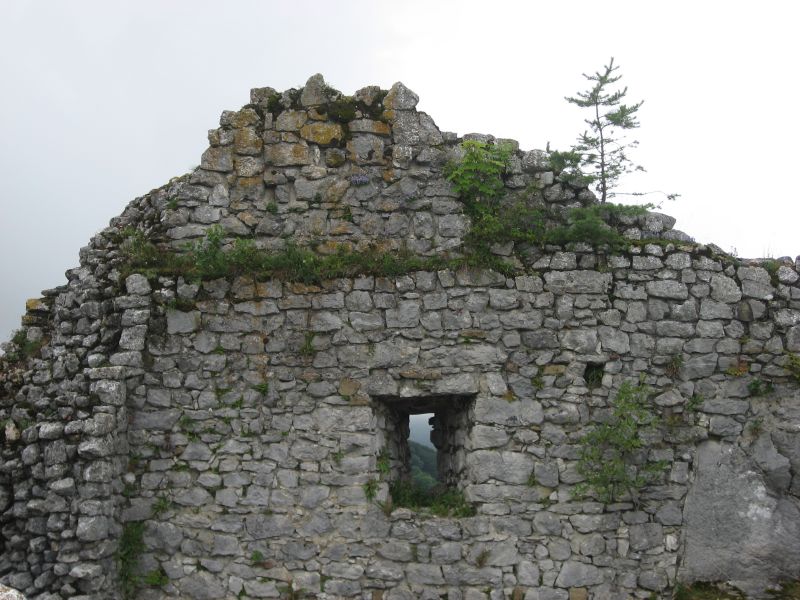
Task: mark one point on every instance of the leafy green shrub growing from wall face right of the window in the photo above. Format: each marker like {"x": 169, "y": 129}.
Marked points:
{"x": 607, "y": 454}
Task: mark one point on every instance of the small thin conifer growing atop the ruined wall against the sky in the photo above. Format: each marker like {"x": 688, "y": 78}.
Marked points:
{"x": 601, "y": 152}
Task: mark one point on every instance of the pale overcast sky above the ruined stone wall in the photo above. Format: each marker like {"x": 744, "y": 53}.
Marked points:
{"x": 101, "y": 101}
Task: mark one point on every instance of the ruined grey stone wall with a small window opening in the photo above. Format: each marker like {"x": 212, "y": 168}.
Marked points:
{"x": 238, "y": 424}
